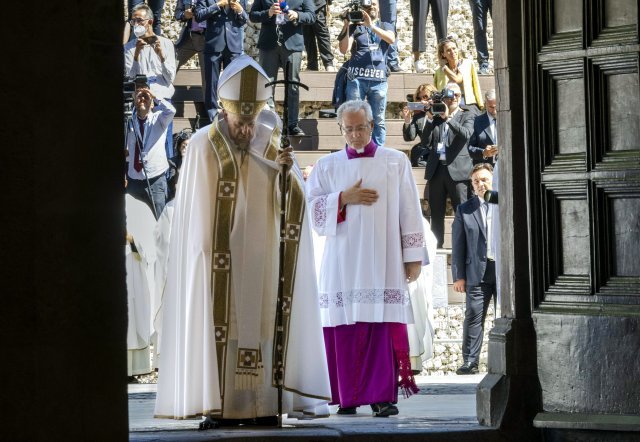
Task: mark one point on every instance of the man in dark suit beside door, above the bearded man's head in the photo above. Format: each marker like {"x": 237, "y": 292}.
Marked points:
{"x": 483, "y": 147}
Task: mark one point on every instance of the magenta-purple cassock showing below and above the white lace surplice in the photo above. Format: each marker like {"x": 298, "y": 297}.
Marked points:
{"x": 368, "y": 361}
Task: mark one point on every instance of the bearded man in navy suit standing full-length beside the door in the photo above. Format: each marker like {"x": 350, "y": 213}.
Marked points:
{"x": 472, "y": 264}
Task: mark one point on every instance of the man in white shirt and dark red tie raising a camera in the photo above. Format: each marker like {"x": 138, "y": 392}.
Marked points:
{"x": 147, "y": 158}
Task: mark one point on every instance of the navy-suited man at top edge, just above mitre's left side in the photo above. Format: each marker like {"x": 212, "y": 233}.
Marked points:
{"x": 224, "y": 39}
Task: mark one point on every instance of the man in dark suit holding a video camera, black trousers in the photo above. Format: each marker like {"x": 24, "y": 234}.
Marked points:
{"x": 447, "y": 136}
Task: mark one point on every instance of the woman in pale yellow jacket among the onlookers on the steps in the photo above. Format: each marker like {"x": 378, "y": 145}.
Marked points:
{"x": 461, "y": 71}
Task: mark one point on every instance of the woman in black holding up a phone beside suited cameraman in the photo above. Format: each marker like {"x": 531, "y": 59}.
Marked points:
{"x": 414, "y": 120}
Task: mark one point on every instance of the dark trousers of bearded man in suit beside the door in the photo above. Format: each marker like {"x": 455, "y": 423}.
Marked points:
{"x": 478, "y": 299}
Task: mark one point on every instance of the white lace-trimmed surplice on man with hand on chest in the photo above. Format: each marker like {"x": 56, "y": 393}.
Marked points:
{"x": 362, "y": 276}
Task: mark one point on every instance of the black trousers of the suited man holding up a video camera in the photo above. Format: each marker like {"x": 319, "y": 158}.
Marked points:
{"x": 440, "y": 186}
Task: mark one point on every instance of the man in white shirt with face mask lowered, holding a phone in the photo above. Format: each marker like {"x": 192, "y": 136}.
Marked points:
{"x": 151, "y": 55}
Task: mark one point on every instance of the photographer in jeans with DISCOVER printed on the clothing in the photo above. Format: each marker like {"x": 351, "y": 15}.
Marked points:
{"x": 367, "y": 75}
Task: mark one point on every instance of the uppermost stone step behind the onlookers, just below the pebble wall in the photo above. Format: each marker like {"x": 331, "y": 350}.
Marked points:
{"x": 188, "y": 86}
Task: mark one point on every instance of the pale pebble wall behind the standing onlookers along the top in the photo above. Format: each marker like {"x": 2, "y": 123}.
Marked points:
{"x": 459, "y": 25}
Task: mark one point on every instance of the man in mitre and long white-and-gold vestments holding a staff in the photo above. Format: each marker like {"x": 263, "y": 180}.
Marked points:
{"x": 220, "y": 300}
